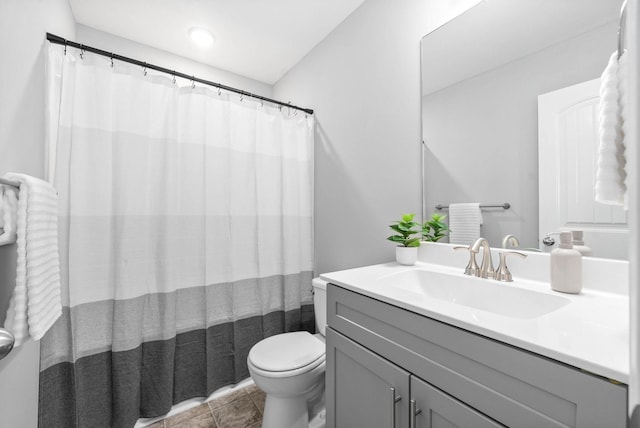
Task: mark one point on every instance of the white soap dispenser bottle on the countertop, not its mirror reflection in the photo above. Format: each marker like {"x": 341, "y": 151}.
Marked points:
{"x": 566, "y": 266}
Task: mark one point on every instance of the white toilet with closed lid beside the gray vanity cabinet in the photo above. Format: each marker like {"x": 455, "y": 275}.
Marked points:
{"x": 290, "y": 368}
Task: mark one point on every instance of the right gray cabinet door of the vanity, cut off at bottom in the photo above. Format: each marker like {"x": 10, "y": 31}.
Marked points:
{"x": 435, "y": 409}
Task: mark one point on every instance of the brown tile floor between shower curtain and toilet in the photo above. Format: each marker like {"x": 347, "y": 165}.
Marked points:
{"x": 239, "y": 409}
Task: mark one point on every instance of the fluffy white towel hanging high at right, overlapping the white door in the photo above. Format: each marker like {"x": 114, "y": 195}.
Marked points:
{"x": 610, "y": 186}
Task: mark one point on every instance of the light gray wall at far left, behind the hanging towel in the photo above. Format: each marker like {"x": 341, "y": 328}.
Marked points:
{"x": 22, "y": 81}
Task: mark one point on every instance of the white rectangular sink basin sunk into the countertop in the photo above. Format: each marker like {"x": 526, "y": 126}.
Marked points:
{"x": 484, "y": 294}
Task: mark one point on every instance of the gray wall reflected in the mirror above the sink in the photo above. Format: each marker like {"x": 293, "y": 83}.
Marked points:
{"x": 482, "y": 133}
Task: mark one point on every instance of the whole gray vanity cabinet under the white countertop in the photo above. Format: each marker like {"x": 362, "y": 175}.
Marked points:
{"x": 455, "y": 378}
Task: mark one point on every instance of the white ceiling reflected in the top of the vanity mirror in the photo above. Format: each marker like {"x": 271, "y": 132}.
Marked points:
{"x": 494, "y": 32}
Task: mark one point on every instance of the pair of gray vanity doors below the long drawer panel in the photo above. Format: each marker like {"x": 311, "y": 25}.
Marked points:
{"x": 372, "y": 392}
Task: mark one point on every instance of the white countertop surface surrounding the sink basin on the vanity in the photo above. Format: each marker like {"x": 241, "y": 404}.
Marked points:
{"x": 591, "y": 332}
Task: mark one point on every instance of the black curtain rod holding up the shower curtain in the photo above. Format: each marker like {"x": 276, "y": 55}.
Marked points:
{"x": 61, "y": 41}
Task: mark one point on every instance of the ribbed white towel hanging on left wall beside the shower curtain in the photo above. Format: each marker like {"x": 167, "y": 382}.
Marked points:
{"x": 36, "y": 303}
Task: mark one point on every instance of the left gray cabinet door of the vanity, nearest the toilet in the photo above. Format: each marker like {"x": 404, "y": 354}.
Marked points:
{"x": 363, "y": 389}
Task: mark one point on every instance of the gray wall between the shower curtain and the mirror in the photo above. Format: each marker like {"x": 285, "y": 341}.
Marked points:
{"x": 363, "y": 81}
